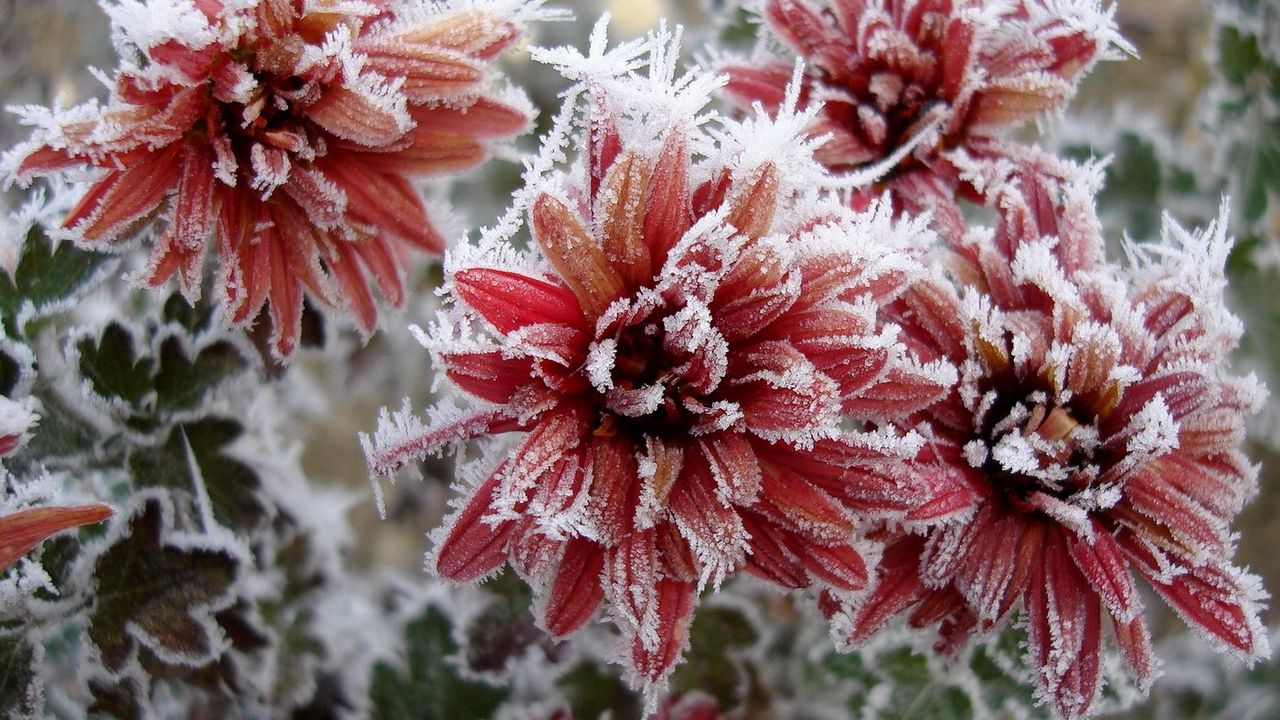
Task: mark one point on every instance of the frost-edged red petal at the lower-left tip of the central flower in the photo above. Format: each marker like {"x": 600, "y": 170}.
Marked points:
{"x": 474, "y": 548}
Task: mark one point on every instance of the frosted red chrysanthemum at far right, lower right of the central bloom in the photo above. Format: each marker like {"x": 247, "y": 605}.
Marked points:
{"x": 1100, "y": 431}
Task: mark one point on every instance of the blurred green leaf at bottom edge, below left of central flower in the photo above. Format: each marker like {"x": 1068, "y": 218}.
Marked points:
{"x": 431, "y": 687}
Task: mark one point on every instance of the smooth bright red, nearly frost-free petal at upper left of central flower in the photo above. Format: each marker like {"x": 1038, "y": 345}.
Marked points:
{"x": 511, "y": 302}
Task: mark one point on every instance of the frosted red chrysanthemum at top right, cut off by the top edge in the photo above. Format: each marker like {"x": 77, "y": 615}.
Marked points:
{"x": 918, "y": 80}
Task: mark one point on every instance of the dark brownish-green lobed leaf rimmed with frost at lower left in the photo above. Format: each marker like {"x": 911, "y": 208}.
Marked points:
{"x": 158, "y": 593}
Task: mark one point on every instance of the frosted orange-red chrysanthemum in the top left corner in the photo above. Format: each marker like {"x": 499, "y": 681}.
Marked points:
{"x": 289, "y": 131}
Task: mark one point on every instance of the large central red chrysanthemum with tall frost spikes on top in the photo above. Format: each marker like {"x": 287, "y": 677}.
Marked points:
{"x": 679, "y": 357}
